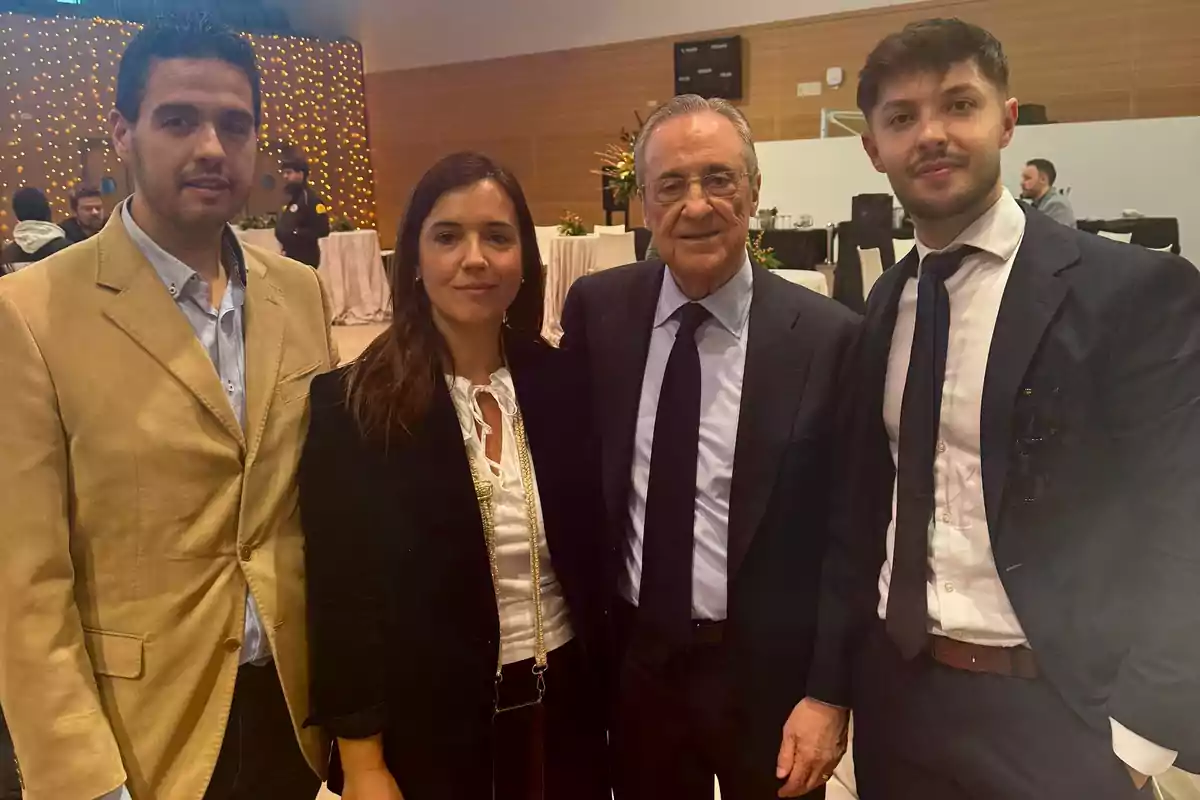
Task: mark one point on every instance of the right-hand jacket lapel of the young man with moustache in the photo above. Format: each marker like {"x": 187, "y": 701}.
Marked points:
{"x": 1031, "y": 302}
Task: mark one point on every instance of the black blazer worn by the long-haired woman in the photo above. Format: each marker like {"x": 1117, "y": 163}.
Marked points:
{"x": 404, "y": 628}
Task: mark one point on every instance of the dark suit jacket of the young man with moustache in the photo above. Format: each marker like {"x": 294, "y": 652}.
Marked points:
{"x": 1090, "y": 438}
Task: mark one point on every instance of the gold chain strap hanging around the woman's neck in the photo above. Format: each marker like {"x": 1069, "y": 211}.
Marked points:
{"x": 484, "y": 492}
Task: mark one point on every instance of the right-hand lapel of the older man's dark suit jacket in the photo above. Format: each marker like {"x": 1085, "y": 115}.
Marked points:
{"x": 773, "y": 383}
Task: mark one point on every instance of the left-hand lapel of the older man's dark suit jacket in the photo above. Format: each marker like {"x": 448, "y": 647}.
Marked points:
{"x": 629, "y": 329}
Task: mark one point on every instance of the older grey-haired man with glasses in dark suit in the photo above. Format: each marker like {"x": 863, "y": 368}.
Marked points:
{"x": 715, "y": 386}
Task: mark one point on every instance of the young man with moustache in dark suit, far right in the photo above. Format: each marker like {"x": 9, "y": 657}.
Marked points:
{"x": 1015, "y": 582}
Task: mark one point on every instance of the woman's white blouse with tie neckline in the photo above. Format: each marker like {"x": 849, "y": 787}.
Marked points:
{"x": 517, "y": 607}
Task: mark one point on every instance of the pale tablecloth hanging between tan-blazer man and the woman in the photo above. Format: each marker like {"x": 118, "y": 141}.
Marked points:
{"x": 353, "y": 273}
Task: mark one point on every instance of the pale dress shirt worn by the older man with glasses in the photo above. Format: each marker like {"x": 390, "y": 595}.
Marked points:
{"x": 722, "y": 342}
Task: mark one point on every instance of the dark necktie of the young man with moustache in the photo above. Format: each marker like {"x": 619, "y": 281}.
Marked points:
{"x": 908, "y": 611}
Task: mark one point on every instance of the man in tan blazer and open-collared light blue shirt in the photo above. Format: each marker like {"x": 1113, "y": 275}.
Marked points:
{"x": 155, "y": 388}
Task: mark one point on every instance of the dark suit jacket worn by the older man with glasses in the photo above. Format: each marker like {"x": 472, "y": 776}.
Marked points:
{"x": 799, "y": 344}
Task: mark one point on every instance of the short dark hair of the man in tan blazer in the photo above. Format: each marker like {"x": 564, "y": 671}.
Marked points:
{"x": 191, "y": 37}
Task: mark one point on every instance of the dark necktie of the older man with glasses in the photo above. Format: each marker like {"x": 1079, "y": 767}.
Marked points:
{"x": 665, "y": 598}
